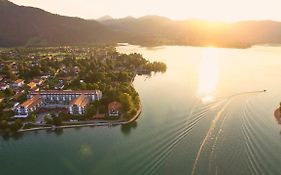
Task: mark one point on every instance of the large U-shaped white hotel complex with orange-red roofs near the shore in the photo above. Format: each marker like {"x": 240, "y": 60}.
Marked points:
{"x": 75, "y": 101}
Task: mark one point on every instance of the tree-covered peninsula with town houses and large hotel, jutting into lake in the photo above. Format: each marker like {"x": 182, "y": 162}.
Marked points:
{"x": 71, "y": 86}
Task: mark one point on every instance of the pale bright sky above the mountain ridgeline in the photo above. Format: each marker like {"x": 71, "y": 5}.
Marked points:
{"x": 222, "y": 10}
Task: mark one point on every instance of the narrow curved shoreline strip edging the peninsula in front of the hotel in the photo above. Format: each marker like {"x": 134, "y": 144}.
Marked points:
{"x": 87, "y": 124}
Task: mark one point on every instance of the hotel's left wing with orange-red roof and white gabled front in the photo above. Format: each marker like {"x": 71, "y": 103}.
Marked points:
{"x": 30, "y": 105}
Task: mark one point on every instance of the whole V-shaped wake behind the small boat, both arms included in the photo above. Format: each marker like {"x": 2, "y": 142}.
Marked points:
{"x": 169, "y": 137}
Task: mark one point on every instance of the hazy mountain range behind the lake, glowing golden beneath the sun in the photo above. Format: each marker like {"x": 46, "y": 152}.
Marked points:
{"x": 28, "y": 26}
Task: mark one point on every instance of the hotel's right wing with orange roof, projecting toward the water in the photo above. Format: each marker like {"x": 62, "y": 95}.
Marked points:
{"x": 78, "y": 105}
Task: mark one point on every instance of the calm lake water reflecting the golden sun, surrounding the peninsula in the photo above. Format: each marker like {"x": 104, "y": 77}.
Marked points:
{"x": 208, "y": 114}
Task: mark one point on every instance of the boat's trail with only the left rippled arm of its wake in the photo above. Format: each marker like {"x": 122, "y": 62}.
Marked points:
{"x": 177, "y": 133}
